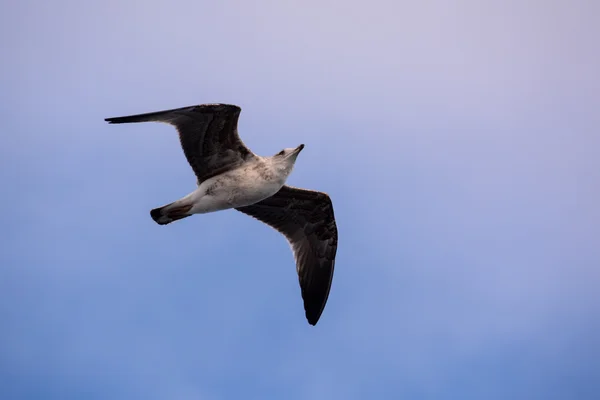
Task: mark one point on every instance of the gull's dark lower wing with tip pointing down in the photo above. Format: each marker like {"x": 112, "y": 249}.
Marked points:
{"x": 306, "y": 219}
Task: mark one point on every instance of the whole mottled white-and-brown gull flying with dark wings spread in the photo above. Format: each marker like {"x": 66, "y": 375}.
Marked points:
{"x": 229, "y": 175}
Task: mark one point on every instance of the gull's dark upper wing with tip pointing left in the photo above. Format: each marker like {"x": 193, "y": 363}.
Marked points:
{"x": 208, "y": 135}
